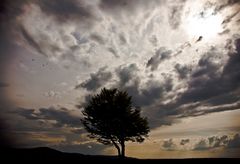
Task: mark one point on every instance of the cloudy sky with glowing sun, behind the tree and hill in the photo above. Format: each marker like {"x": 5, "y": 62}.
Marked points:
{"x": 178, "y": 59}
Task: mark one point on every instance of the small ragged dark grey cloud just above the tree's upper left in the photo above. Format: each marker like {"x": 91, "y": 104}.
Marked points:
{"x": 96, "y": 80}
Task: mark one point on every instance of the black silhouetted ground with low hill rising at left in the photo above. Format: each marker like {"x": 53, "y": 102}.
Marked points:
{"x": 44, "y": 154}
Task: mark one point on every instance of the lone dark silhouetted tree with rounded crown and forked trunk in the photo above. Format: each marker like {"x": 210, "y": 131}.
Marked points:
{"x": 111, "y": 118}
